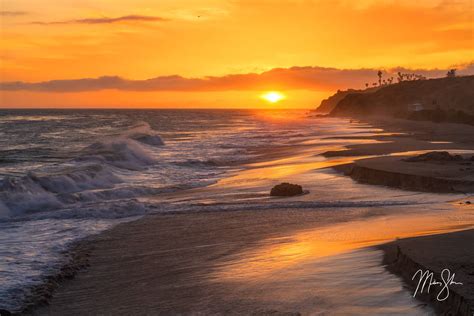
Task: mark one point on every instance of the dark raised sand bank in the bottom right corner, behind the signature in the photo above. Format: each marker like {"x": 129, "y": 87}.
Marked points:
{"x": 453, "y": 251}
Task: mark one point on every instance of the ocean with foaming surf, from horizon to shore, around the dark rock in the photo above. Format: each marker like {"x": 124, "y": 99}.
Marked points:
{"x": 69, "y": 174}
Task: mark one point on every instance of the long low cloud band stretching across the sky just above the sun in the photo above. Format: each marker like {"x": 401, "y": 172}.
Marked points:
{"x": 294, "y": 78}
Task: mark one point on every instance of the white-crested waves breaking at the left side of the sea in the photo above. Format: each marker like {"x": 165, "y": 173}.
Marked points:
{"x": 92, "y": 176}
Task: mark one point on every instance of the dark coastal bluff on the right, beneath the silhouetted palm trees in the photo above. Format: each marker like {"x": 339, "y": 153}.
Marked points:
{"x": 443, "y": 99}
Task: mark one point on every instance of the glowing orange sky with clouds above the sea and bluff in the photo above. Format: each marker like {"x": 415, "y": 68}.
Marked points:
{"x": 142, "y": 39}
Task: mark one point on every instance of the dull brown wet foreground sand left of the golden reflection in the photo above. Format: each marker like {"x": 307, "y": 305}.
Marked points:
{"x": 161, "y": 264}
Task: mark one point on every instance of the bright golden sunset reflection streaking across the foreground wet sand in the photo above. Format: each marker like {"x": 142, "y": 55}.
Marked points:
{"x": 278, "y": 254}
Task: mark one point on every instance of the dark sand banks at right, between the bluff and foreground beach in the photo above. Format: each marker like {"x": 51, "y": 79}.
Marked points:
{"x": 414, "y": 138}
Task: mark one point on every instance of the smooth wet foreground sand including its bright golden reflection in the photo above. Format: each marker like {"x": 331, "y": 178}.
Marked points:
{"x": 227, "y": 262}
